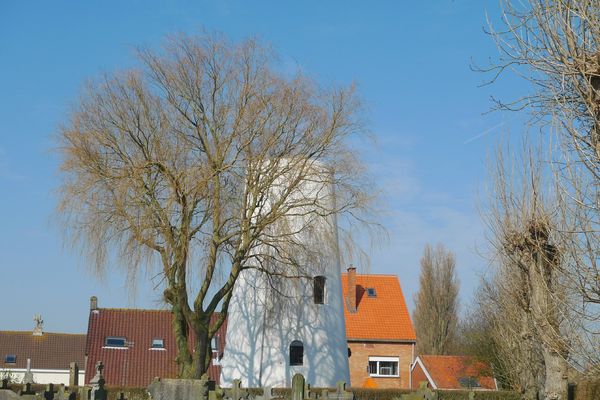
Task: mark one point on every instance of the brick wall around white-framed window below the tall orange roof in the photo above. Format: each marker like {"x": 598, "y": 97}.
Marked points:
{"x": 359, "y": 362}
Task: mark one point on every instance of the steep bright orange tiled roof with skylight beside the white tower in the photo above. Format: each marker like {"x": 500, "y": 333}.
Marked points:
{"x": 384, "y": 317}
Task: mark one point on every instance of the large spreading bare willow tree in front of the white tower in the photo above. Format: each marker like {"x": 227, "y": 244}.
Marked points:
{"x": 207, "y": 161}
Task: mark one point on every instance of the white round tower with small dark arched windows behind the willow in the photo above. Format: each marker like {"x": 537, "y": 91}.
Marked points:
{"x": 278, "y": 327}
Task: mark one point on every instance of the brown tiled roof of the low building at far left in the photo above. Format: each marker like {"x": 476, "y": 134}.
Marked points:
{"x": 47, "y": 351}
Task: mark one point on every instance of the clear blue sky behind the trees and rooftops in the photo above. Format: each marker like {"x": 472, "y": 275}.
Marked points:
{"x": 410, "y": 61}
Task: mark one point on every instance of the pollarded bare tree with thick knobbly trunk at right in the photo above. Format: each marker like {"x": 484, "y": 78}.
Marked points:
{"x": 526, "y": 296}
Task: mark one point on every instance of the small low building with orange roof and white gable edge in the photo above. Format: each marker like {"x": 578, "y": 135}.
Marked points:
{"x": 452, "y": 373}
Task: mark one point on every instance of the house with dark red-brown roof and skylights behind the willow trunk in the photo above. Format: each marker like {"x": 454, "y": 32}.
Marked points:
{"x": 136, "y": 345}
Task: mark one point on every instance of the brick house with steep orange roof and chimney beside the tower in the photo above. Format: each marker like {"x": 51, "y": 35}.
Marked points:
{"x": 380, "y": 334}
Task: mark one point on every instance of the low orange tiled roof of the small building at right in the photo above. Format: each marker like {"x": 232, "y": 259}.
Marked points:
{"x": 446, "y": 371}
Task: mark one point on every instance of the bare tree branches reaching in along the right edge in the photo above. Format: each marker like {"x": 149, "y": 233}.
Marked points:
{"x": 554, "y": 45}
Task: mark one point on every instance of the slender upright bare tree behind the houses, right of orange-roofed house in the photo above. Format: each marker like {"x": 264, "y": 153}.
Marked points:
{"x": 436, "y": 304}
